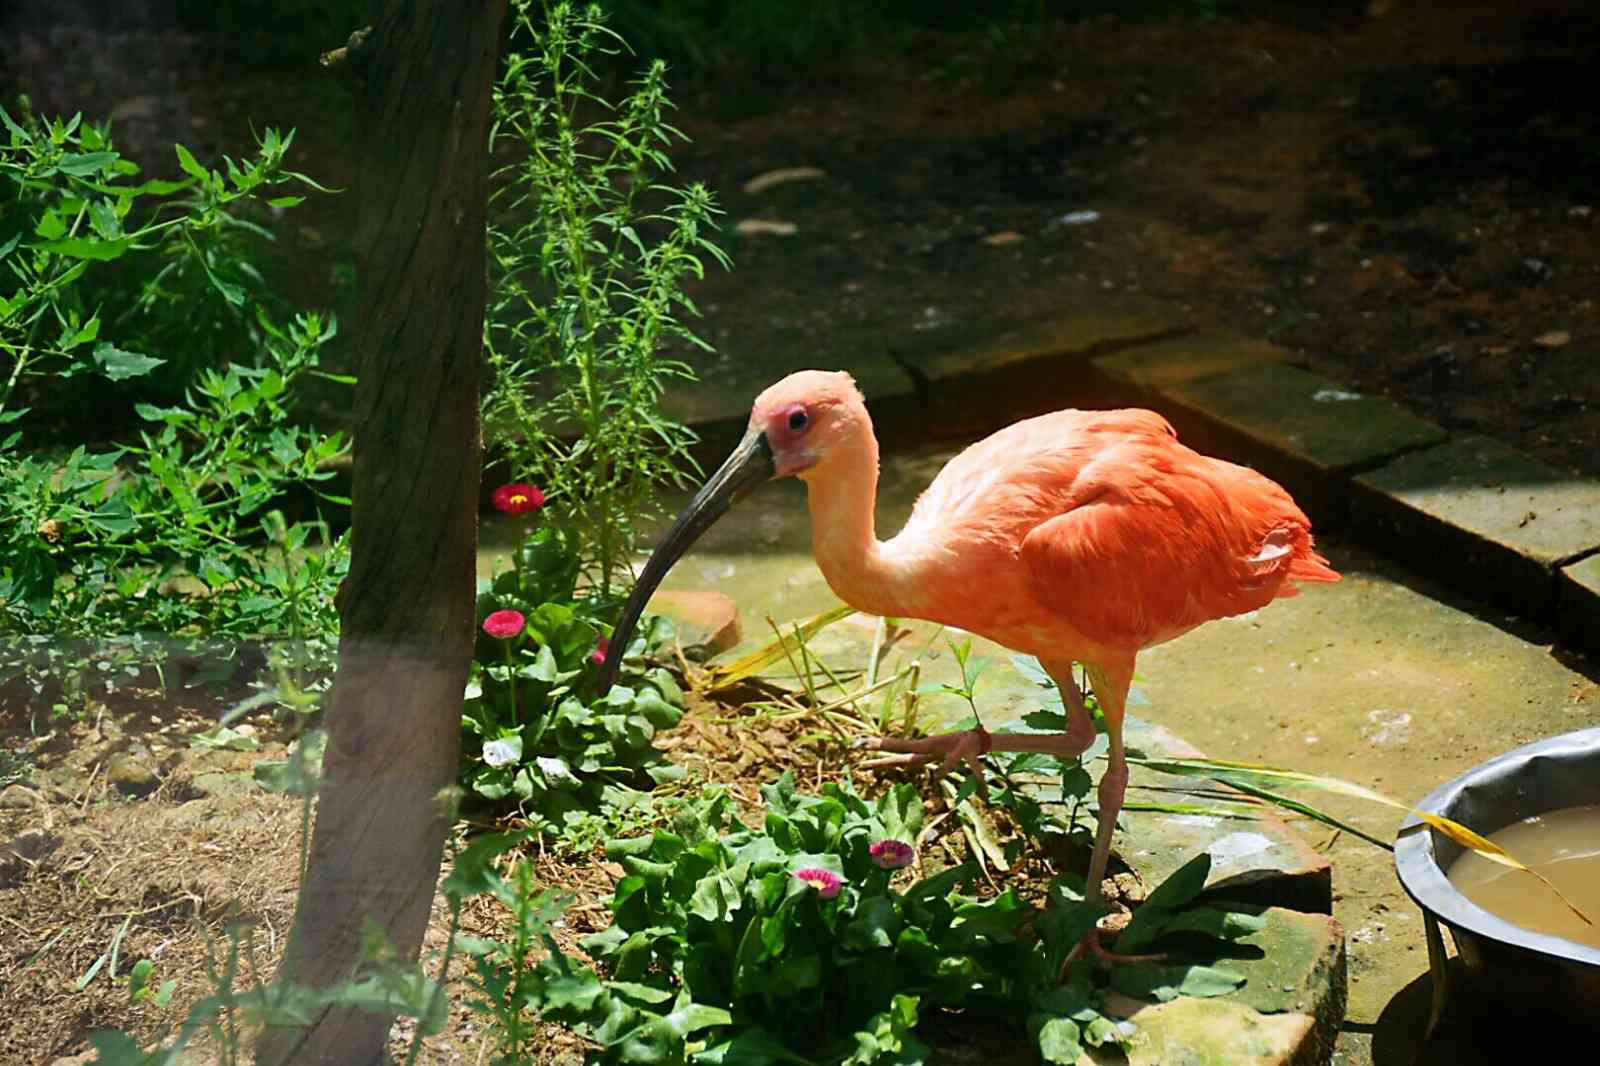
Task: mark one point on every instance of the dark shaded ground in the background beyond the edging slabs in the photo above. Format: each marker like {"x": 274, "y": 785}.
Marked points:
{"x": 1404, "y": 201}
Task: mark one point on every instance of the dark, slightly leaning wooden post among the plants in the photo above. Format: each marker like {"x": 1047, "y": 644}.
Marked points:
{"x": 423, "y": 82}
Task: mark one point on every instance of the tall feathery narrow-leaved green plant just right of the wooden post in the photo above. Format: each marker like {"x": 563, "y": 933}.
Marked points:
{"x": 588, "y": 260}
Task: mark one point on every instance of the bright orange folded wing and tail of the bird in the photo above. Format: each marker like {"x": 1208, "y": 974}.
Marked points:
{"x": 1161, "y": 540}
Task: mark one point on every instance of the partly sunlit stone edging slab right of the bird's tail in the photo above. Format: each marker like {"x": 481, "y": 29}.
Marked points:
{"x": 1474, "y": 507}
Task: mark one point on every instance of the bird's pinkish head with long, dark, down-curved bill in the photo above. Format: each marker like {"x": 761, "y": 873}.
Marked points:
{"x": 794, "y": 428}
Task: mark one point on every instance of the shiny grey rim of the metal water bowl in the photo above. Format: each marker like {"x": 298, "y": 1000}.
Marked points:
{"x": 1430, "y": 889}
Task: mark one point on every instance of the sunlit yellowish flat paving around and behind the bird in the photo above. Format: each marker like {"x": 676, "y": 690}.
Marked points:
{"x": 1383, "y": 679}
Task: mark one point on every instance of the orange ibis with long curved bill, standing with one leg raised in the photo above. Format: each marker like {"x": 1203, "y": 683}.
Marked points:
{"x": 1079, "y": 537}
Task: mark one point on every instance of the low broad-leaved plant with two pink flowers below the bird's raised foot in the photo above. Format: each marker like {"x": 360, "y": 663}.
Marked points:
{"x": 802, "y": 944}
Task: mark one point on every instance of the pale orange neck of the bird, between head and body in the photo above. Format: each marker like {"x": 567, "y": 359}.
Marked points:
{"x": 844, "y": 539}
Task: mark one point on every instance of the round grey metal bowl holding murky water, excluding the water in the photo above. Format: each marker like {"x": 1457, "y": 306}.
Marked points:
{"x": 1503, "y": 963}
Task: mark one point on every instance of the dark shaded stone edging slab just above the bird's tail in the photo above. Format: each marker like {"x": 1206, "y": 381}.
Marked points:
{"x": 1297, "y": 428}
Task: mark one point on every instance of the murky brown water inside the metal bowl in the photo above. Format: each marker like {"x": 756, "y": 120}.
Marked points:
{"x": 1561, "y": 844}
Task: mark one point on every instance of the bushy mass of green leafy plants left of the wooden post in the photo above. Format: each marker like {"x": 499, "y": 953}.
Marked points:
{"x": 150, "y": 289}
